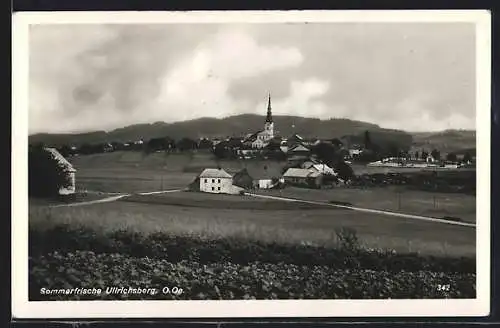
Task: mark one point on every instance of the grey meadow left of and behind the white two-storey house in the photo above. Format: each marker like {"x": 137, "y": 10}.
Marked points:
{"x": 132, "y": 172}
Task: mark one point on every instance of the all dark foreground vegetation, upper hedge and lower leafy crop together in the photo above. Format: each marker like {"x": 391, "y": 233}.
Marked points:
{"x": 65, "y": 257}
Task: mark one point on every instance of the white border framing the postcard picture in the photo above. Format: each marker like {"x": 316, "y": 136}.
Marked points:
{"x": 22, "y": 308}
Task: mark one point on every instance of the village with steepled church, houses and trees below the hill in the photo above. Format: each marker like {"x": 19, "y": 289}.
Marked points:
{"x": 309, "y": 163}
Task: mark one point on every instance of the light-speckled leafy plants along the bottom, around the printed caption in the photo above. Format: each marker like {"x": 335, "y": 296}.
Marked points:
{"x": 227, "y": 280}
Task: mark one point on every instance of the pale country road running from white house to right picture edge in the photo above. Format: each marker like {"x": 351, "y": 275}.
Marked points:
{"x": 368, "y": 210}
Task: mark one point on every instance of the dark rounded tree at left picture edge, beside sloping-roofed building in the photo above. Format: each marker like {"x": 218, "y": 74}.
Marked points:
{"x": 45, "y": 175}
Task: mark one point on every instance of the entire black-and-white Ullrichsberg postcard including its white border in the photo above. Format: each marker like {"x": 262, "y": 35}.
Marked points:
{"x": 267, "y": 164}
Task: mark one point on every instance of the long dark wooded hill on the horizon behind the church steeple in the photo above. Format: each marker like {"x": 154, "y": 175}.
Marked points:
{"x": 210, "y": 127}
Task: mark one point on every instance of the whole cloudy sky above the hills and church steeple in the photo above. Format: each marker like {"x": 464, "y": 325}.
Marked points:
{"x": 408, "y": 76}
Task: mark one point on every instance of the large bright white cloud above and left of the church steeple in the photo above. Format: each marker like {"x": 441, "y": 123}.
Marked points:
{"x": 198, "y": 85}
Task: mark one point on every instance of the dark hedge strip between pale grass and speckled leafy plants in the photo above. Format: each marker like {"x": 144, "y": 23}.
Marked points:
{"x": 66, "y": 238}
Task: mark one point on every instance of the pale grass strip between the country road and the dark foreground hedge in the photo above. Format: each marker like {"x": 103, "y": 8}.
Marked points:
{"x": 315, "y": 225}
